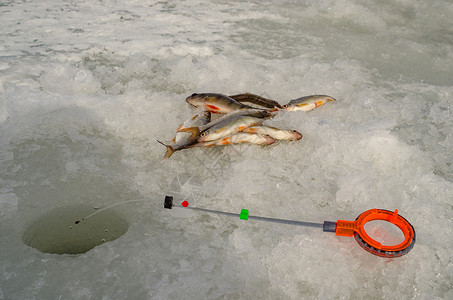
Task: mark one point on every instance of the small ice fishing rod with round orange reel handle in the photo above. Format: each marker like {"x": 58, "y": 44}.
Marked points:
{"x": 341, "y": 227}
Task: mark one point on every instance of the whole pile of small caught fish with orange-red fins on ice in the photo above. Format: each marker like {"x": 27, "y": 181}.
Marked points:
{"x": 237, "y": 122}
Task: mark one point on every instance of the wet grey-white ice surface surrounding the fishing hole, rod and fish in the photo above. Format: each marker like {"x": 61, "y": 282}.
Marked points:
{"x": 87, "y": 87}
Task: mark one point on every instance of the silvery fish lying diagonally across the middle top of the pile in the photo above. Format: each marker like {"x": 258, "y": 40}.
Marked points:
{"x": 228, "y": 127}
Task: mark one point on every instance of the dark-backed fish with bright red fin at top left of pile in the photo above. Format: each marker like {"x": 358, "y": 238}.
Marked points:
{"x": 216, "y": 103}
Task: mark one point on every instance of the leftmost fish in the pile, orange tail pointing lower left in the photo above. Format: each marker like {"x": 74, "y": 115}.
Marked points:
{"x": 183, "y": 138}
